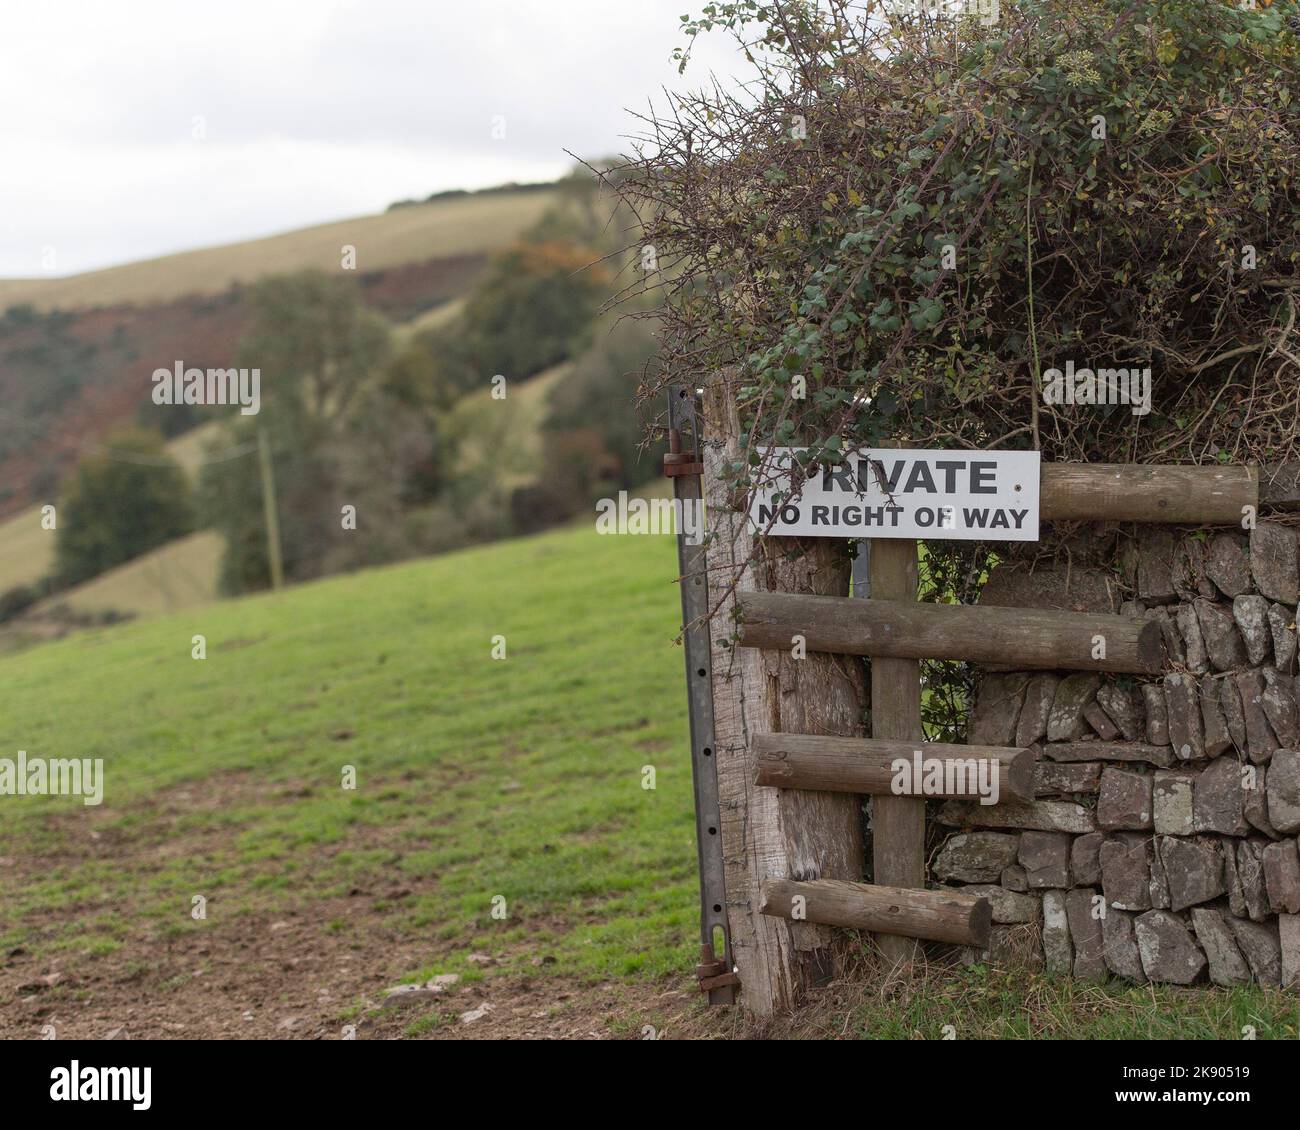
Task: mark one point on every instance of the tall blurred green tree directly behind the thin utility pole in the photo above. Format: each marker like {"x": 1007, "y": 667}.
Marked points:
{"x": 336, "y": 438}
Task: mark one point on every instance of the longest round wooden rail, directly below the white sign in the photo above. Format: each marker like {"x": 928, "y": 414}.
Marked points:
{"x": 1016, "y": 638}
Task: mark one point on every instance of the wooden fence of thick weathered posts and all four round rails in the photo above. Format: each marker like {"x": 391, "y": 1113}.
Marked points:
{"x": 791, "y": 755}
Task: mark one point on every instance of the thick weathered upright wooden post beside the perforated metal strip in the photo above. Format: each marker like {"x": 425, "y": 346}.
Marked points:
{"x": 774, "y": 833}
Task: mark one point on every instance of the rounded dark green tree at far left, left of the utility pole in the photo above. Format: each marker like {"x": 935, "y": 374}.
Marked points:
{"x": 131, "y": 499}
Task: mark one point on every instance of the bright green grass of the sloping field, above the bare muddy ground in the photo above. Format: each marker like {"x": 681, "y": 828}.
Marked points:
{"x": 476, "y": 778}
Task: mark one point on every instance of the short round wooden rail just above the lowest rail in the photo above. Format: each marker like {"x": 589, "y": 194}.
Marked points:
{"x": 865, "y": 765}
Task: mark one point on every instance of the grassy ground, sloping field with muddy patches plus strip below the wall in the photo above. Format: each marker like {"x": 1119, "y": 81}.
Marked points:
{"x": 482, "y": 783}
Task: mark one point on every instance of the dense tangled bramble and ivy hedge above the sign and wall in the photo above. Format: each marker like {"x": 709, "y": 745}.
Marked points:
{"x": 809, "y": 220}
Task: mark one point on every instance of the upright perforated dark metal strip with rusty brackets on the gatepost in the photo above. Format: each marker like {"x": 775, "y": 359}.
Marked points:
{"x": 684, "y": 465}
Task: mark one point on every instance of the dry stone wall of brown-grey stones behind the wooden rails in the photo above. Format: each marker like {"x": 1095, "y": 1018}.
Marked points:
{"x": 1162, "y": 843}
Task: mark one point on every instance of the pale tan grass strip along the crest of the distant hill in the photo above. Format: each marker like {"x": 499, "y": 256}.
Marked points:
{"x": 444, "y": 228}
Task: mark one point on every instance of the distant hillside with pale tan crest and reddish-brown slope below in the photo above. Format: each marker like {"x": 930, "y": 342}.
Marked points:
{"x": 72, "y": 376}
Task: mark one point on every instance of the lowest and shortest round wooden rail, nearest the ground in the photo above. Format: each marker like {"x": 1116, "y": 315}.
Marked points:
{"x": 935, "y": 916}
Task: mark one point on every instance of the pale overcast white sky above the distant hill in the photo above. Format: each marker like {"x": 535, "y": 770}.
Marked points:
{"x": 136, "y": 129}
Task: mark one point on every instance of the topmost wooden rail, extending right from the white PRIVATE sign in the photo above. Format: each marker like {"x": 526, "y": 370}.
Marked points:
{"x": 1128, "y": 492}
